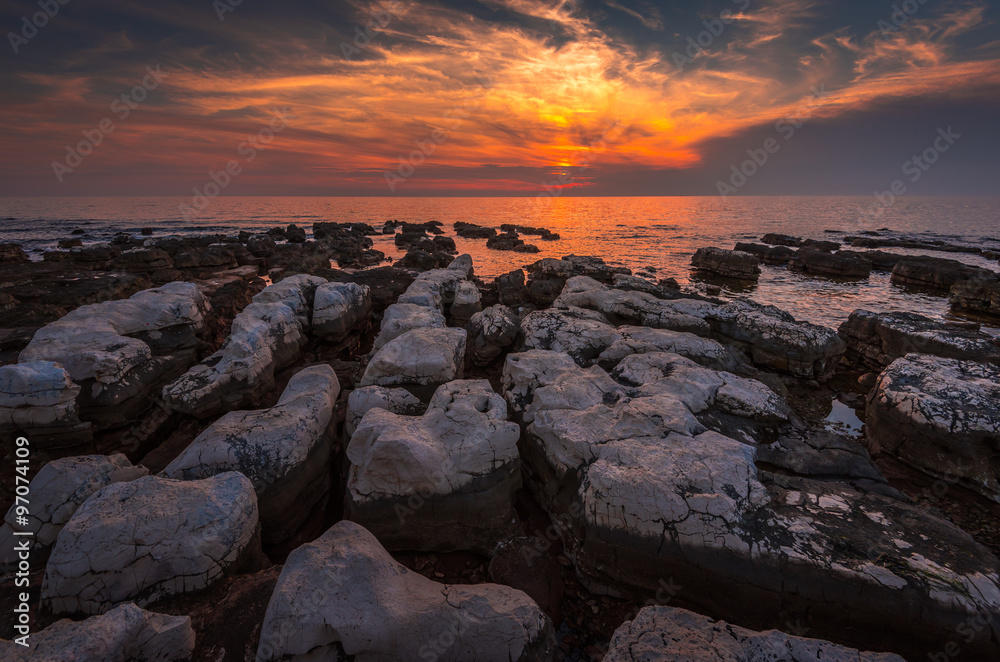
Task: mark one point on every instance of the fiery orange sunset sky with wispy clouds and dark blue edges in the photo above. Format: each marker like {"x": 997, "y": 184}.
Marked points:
{"x": 499, "y": 97}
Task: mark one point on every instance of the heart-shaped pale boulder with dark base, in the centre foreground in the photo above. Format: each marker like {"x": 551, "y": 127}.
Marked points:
{"x": 442, "y": 481}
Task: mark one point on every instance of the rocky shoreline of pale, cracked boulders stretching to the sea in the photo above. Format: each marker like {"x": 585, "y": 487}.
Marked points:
{"x": 243, "y": 452}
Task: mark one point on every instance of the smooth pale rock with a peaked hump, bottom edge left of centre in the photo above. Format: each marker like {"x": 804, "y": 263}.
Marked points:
{"x": 342, "y": 595}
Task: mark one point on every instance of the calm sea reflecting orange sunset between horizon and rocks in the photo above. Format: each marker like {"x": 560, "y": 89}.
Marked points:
{"x": 659, "y": 232}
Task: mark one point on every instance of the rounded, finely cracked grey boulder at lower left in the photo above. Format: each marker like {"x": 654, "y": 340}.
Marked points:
{"x": 148, "y": 539}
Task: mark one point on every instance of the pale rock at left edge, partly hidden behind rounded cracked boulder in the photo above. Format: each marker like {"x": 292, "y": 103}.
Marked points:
{"x": 57, "y": 490}
